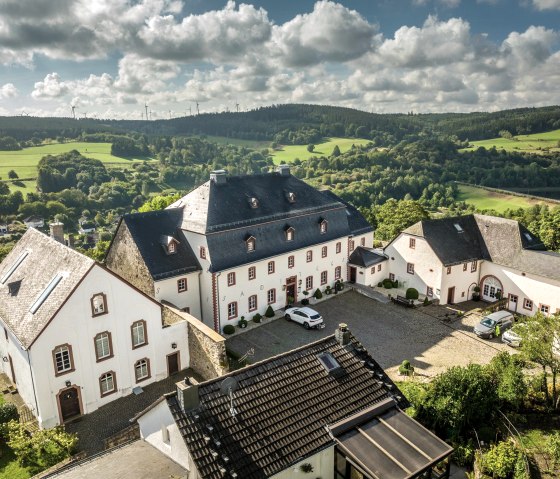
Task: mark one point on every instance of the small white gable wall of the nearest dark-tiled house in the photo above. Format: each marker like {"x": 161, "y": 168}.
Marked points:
{"x": 151, "y": 424}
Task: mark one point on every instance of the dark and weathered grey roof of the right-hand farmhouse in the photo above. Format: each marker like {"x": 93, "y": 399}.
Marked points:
{"x": 500, "y": 240}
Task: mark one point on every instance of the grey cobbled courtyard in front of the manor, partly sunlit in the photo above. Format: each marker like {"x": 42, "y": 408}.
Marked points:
{"x": 391, "y": 333}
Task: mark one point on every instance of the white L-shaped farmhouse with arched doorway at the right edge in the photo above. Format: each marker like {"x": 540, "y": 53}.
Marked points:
{"x": 447, "y": 258}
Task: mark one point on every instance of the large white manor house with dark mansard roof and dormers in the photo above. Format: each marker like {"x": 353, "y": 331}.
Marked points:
{"x": 238, "y": 244}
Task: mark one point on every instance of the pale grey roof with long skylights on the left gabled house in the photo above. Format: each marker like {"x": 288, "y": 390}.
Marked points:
{"x": 45, "y": 259}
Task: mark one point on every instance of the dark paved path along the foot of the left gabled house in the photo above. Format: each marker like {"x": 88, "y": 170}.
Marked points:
{"x": 94, "y": 428}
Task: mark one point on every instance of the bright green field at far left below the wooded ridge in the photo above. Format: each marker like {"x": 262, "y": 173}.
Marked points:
{"x": 24, "y": 162}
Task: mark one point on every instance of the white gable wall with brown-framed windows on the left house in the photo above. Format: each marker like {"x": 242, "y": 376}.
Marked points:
{"x": 75, "y": 325}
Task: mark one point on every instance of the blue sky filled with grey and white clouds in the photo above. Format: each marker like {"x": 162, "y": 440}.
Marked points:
{"x": 111, "y": 58}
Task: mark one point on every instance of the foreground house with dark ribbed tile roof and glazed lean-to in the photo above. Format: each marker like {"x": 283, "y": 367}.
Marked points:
{"x": 326, "y": 408}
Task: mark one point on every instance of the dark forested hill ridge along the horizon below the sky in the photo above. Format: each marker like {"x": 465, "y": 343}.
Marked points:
{"x": 301, "y": 124}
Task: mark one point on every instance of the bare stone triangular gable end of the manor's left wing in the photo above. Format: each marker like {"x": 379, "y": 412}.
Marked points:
{"x": 124, "y": 259}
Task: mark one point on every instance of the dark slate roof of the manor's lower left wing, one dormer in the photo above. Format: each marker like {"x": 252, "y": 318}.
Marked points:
{"x": 151, "y": 231}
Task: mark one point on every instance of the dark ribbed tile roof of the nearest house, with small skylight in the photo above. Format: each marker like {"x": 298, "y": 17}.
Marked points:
{"x": 283, "y": 406}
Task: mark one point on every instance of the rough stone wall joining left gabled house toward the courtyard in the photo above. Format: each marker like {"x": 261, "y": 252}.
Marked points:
{"x": 207, "y": 349}
